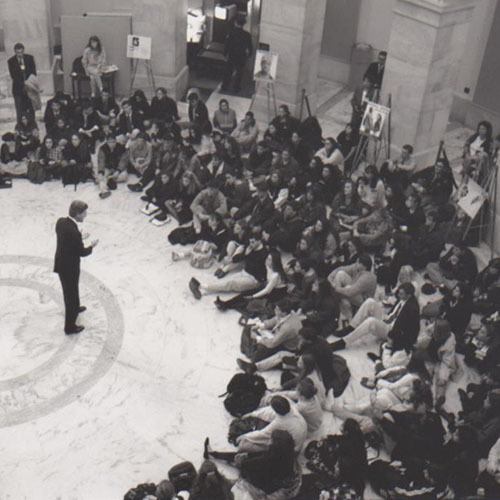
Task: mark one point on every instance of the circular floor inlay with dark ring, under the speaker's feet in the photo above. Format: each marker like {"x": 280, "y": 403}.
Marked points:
{"x": 41, "y": 369}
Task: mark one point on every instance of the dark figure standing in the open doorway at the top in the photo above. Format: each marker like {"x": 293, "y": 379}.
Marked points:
{"x": 238, "y": 48}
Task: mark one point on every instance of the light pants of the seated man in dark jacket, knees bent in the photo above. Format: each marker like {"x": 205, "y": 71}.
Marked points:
{"x": 368, "y": 323}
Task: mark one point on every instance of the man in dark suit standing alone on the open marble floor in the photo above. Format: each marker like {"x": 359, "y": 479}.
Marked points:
{"x": 70, "y": 248}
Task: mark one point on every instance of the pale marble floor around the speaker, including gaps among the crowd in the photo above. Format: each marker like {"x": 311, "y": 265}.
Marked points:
{"x": 88, "y": 417}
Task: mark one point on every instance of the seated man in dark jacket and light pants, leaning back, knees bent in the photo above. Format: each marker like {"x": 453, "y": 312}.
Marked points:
{"x": 402, "y": 322}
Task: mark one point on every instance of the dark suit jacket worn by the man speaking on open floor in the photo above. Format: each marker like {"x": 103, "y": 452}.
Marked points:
{"x": 70, "y": 247}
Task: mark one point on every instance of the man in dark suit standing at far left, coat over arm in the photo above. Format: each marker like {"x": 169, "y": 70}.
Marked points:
{"x": 21, "y": 67}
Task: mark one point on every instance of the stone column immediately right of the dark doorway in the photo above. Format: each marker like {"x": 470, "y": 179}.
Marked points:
{"x": 294, "y": 30}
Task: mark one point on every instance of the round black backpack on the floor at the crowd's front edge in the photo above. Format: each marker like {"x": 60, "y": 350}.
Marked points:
{"x": 244, "y": 393}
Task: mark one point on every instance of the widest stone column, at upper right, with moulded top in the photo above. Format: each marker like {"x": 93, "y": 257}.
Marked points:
{"x": 426, "y": 43}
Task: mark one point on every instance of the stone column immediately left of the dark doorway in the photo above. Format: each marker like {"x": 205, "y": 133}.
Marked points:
{"x": 166, "y": 22}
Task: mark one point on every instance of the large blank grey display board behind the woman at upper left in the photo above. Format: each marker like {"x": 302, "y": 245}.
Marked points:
{"x": 112, "y": 29}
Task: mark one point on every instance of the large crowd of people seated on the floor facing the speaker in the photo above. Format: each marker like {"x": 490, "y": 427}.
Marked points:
{"x": 318, "y": 255}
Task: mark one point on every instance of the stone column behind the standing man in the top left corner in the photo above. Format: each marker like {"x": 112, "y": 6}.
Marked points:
{"x": 28, "y": 21}
